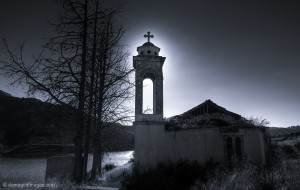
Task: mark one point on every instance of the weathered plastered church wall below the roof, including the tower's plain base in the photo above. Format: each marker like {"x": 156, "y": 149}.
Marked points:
{"x": 154, "y": 144}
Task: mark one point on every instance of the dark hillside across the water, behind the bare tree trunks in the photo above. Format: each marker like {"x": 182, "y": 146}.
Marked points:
{"x": 29, "y": 121}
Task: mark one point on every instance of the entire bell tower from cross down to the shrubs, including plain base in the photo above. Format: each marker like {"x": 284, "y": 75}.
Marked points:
{"x": 149, "y": 128}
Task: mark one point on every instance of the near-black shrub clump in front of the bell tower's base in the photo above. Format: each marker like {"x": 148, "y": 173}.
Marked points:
{"x": 179, "y": 176}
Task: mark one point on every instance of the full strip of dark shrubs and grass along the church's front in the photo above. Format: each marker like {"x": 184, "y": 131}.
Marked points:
{"x": 284, "y": 174}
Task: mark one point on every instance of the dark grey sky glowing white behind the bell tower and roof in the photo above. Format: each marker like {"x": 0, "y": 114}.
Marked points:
{"x": 243, "y": 55}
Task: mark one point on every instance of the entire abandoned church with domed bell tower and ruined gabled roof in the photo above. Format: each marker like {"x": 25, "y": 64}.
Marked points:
{"x": 207, "y": 132}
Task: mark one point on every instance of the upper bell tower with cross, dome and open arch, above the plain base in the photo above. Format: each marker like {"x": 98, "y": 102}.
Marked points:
{"x": 148, "y": 65}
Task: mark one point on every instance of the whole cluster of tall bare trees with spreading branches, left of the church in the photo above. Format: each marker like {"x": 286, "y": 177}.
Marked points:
{"x": 83, "y": 67}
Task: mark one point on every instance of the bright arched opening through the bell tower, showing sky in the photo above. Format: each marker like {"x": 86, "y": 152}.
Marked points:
{"x": 147, "y": 96}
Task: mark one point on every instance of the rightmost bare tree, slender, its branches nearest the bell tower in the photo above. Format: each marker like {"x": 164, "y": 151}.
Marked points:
{"x": 113, "y": 85}
